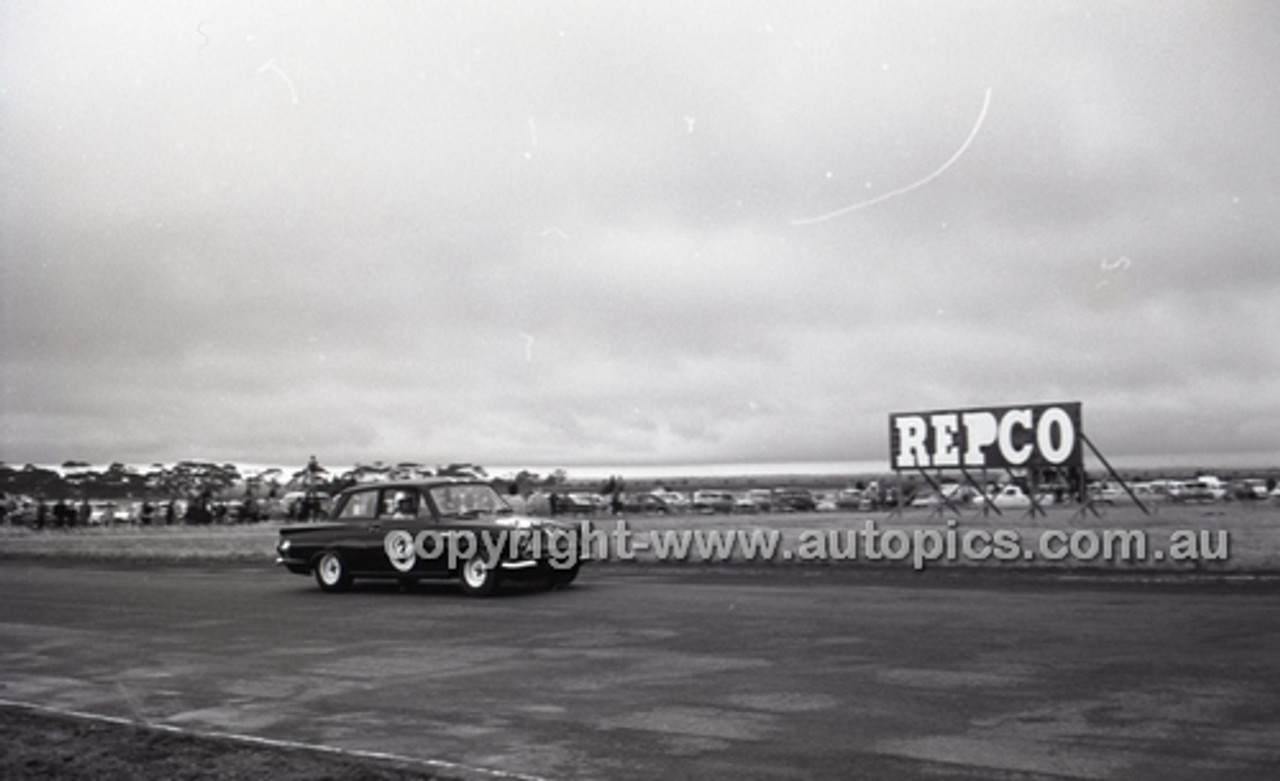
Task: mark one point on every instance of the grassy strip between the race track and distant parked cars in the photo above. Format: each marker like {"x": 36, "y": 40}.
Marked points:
{"x": 1252, "y": 535}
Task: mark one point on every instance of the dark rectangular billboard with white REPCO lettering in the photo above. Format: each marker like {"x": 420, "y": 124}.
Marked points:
{"x": 1031, "y": 436}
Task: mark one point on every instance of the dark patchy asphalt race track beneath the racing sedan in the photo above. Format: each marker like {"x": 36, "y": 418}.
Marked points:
{"x": 683, "y": 673}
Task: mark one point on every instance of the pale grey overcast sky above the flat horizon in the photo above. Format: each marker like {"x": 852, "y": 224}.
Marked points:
{"x": 568, "y": 234}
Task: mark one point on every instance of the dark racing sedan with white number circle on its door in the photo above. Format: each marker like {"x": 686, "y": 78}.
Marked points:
{"x": 381, "y": 532}
